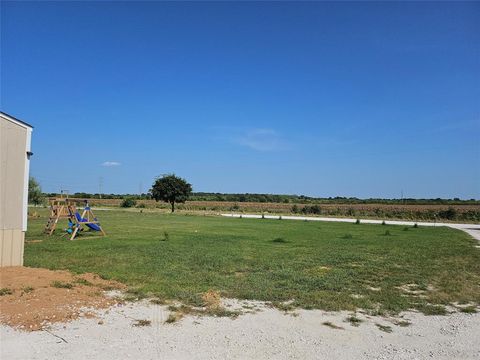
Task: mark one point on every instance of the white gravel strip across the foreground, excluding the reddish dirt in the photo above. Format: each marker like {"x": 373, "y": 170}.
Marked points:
{"x": 266, "y": 334}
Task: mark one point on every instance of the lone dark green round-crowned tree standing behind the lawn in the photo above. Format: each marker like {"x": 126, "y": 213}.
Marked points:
{"x": 171, "y": 189}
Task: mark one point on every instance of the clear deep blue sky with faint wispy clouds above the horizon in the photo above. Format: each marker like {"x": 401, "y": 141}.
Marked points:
{"x": 321, "y": 99}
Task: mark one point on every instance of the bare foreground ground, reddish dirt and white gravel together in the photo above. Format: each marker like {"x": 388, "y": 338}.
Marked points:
{"x": 77, "y": 318}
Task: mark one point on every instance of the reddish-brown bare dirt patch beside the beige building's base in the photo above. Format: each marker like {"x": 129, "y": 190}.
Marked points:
{"x": 40, "y": 297}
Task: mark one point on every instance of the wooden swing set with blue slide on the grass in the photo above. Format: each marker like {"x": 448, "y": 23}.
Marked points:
{"x": 64, "y": 208}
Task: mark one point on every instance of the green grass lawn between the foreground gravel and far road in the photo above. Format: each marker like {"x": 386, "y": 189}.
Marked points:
{"x": 331, "y": 266}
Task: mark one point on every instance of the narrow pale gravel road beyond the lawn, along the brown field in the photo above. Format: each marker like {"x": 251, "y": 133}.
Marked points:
{"x": 472, "y": 229}
